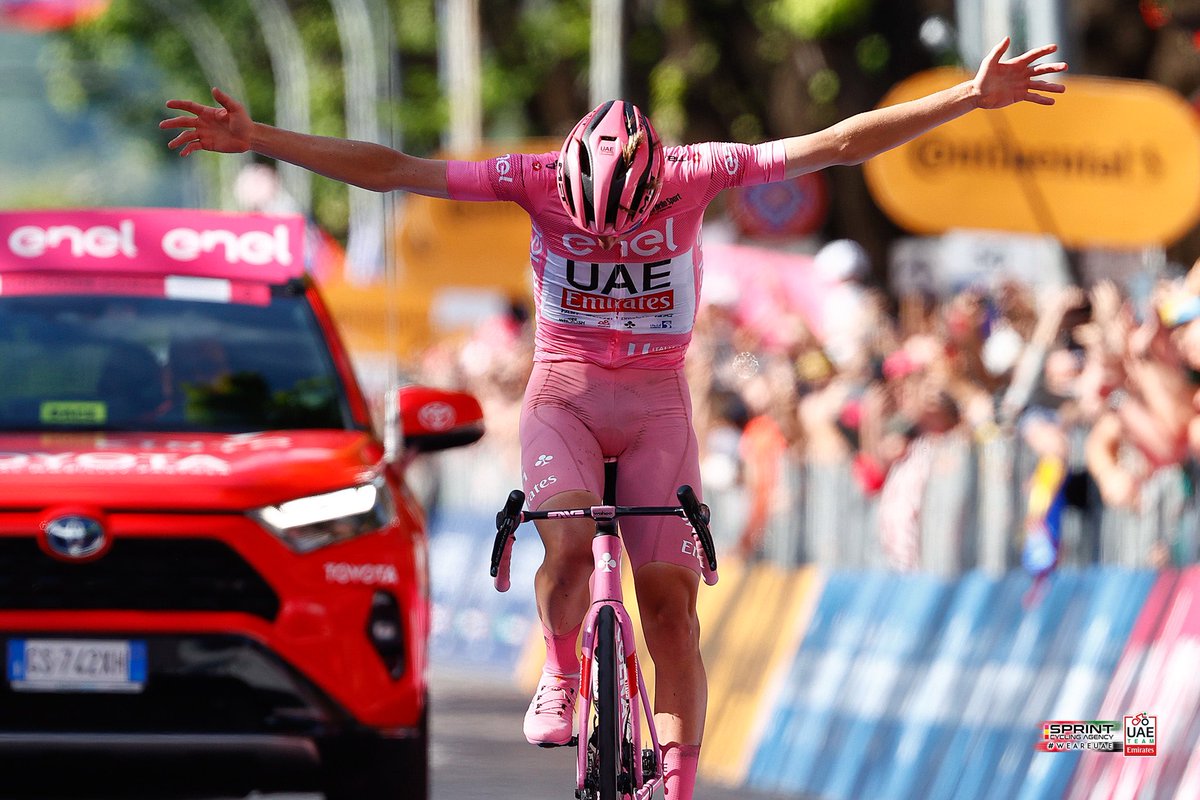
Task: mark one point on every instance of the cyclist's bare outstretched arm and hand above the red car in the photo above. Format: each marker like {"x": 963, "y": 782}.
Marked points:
{"x": 229, "y": 128}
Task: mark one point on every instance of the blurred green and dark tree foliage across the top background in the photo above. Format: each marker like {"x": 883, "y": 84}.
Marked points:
{"x": 745, "y": 70}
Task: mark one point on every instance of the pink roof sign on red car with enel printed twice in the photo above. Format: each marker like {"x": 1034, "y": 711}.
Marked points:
{"x": 160, "y": 242}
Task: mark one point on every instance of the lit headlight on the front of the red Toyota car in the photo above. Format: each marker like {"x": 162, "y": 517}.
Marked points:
{"x": 309, "y": 524}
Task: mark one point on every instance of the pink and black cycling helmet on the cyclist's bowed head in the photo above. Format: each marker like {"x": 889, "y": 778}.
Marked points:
{"x": 610, "y": 170}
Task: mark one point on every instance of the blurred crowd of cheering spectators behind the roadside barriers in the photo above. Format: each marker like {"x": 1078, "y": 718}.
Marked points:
{"x": 1097, "y": 383}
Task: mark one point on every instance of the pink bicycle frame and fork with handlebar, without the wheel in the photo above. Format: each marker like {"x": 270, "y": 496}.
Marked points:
{"x": 605, "y": 587}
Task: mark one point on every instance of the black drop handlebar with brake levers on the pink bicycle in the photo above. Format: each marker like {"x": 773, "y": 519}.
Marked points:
{"x": 512, "y": 515}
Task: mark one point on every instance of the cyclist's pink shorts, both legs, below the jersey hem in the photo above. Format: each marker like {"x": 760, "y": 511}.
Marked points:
{"x": 578, "y": 414}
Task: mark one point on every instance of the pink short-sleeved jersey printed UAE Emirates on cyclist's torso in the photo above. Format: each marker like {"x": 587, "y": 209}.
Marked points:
{"x": 633, "y": 304}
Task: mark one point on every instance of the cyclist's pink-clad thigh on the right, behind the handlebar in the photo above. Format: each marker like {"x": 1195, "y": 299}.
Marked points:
{"x": 661, "y": 456}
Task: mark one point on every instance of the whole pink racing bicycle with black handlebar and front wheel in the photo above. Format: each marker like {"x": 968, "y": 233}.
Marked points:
{"x": 613, "y": 766}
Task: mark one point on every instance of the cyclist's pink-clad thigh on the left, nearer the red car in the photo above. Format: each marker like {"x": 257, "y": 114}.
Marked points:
{"x": 559, "y": 450}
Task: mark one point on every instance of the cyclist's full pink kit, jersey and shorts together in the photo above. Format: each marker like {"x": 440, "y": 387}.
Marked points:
{"x": 614, "y": 327}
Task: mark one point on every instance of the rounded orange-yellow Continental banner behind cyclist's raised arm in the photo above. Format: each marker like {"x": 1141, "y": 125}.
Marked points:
{"x": 1113, "y": 164}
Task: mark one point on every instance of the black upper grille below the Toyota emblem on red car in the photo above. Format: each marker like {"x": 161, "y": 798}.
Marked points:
{"x": 197, "y": 575}
